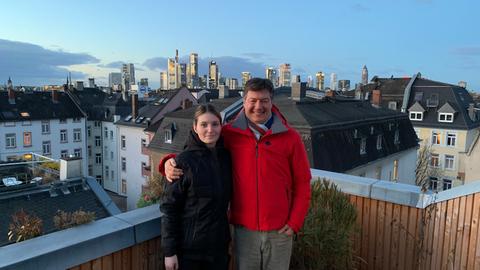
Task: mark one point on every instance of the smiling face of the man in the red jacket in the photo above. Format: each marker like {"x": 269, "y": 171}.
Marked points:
{"x": 258, "y": 106}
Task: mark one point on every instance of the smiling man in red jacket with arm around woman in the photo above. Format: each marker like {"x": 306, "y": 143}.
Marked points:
{"x": 271, "y": 180}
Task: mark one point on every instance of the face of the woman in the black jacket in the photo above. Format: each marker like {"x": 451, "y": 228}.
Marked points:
{"x": 208, "y": 128}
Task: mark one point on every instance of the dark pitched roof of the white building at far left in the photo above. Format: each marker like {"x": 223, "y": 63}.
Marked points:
{"x": 37, "y": 106}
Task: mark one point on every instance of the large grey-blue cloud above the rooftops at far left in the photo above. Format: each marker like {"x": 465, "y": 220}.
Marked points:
{"x": 30, "y": 64}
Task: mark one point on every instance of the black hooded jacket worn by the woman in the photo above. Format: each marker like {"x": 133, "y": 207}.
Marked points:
{"x": 194, "y": 221}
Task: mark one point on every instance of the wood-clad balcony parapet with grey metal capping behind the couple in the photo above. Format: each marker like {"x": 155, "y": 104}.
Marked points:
{"x": 401, "y": 228}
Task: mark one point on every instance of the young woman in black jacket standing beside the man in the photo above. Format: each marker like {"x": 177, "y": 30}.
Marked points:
{"x": 195, "y": 232}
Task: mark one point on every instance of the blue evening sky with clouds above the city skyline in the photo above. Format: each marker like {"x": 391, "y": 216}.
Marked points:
{"x": 42, "y": 41}
